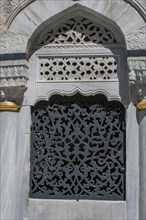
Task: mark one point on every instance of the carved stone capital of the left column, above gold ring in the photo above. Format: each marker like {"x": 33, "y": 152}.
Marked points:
{"x": 13, "y": 80}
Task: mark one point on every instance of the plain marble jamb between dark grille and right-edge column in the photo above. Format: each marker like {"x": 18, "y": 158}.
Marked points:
{"x": 132, "y": 163}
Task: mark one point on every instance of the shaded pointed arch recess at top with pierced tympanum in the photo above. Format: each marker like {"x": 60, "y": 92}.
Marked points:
{"x": 67, "y": 20}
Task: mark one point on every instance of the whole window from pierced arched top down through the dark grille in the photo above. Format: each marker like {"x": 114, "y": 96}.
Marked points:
{"x": 77, "y": 141}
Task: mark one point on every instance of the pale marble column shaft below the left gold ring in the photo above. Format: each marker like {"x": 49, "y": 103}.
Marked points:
{"x": 8, "y": 143}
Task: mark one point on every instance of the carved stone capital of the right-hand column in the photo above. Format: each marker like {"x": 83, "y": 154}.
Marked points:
{"x": 137, "y": 80}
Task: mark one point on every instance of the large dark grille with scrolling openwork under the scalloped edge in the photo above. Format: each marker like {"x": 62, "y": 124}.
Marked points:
{"x": 78, "y": 148}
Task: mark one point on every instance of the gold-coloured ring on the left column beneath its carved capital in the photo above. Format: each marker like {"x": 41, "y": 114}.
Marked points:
{"x": 9, "y": 106}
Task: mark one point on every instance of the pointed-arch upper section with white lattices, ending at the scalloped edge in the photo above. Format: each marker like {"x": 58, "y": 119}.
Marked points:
{"x": 79, "y": 49}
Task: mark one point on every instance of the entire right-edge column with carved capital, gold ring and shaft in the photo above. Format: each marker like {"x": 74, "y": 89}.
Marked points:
{"x": 137, "y": 79}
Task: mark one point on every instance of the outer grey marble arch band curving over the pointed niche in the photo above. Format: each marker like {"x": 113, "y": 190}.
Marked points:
{"x": 120, "y": 12}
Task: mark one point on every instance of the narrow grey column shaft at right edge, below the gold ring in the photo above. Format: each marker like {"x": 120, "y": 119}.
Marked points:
{"x": 142, "y": 164}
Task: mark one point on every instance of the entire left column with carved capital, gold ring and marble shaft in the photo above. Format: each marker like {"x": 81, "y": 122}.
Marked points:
{"x": 13, "y": 79}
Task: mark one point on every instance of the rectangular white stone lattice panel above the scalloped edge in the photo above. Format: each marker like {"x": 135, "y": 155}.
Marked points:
{"x": 78, "y": 68}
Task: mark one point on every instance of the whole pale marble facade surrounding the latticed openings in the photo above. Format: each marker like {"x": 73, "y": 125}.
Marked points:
{"x": 23, "y": 24}
